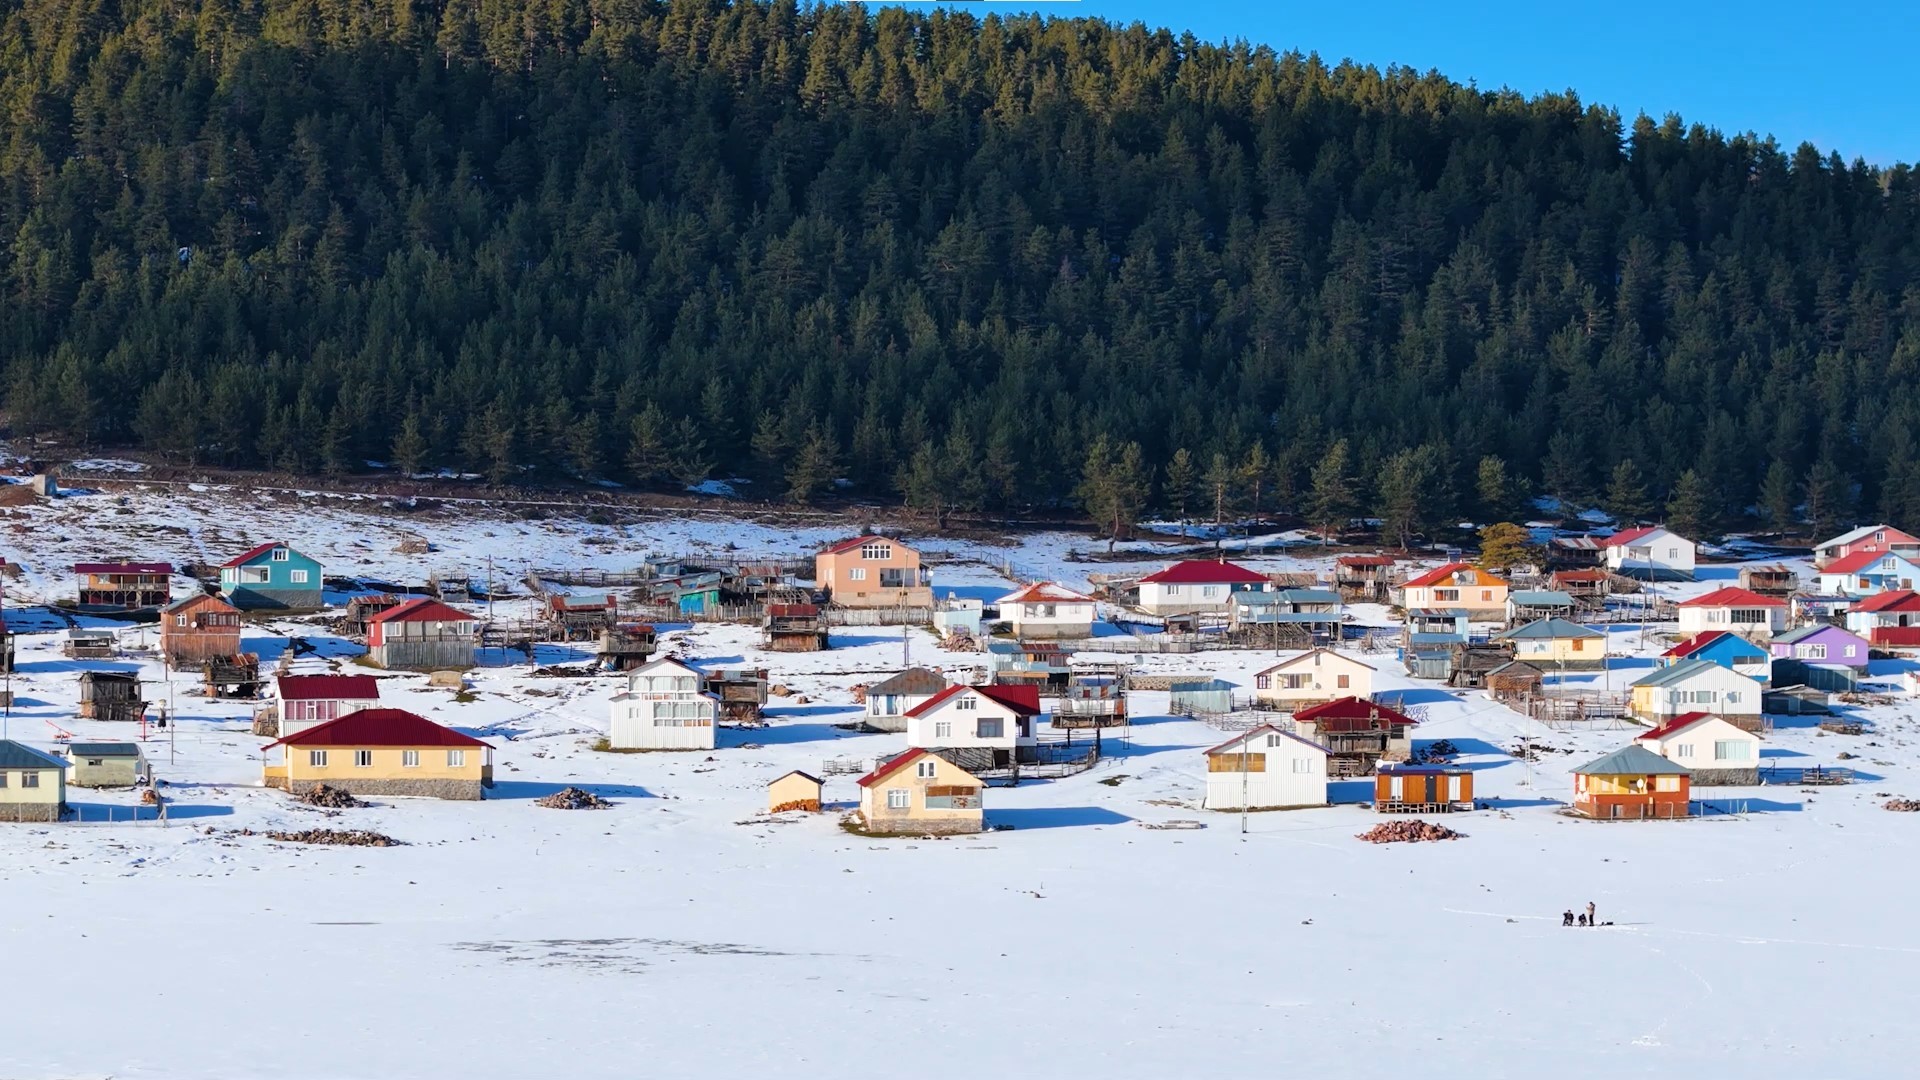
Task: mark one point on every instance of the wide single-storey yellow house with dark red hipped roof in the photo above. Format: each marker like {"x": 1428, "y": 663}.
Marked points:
{"x": 381, "y": 752}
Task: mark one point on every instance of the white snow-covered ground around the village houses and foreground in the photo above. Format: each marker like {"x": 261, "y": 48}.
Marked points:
{"x": 683, "y": 933}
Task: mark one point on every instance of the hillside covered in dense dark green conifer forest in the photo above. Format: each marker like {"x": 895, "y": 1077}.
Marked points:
{"x": 999, "y": 262}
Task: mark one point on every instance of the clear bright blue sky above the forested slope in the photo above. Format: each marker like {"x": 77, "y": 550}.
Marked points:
{"x": 1838, "y": 76}
